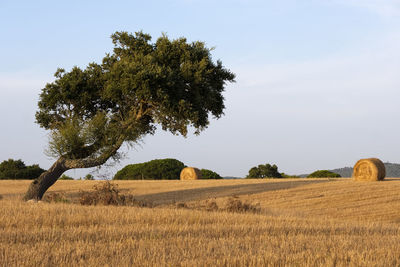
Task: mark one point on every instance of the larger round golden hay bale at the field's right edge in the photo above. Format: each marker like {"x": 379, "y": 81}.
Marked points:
{"x": 371, "y": 169}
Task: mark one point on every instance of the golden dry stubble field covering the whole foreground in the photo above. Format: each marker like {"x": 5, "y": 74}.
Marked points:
{"x": 302, "y": 222}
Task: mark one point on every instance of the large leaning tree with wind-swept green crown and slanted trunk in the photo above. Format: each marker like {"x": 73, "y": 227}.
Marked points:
{"x": 91, "y": 112}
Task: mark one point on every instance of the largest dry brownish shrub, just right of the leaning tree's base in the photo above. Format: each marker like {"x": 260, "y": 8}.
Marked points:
{"x": 108, "y": 193}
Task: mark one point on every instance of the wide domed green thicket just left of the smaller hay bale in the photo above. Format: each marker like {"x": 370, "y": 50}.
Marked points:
{"x": 158, "y": 169}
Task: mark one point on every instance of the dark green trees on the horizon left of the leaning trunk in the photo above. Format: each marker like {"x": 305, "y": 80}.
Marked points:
{"x": 16, "y": 169}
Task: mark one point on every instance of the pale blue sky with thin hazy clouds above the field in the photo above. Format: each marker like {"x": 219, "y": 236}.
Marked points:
{"x": 317, "y": 81}
